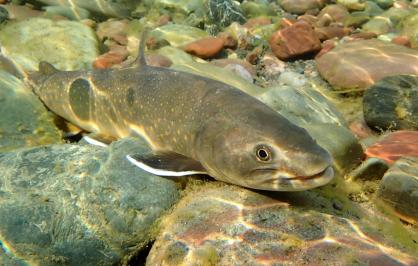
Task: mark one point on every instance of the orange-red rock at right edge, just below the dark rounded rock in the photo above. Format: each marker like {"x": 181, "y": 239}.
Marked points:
{"x": 394, "y": 146}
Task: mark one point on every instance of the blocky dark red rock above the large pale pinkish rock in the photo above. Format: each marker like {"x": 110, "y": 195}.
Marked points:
{"x": 295, "y": 40}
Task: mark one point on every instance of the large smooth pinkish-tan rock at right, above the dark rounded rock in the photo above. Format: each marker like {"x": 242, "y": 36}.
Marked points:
{"x": 357, "y": 65}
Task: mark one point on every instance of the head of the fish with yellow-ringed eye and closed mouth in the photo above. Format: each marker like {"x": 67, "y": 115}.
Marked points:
{"x": 267, "y": 154}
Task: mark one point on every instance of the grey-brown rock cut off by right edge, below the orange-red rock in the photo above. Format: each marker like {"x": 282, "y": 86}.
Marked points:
{"x": 399, "y": 189}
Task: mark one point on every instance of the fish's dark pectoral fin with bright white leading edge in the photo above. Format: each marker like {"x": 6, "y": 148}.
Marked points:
{"x": 167, "y": 164}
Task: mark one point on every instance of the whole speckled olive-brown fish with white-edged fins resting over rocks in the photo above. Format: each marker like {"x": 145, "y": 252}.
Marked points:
{"x": 194, "y": 125}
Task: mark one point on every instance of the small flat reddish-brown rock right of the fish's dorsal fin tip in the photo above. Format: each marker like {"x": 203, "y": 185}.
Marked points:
{"x": 205, "y": 48}
